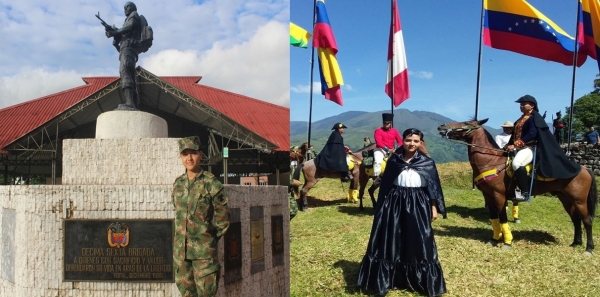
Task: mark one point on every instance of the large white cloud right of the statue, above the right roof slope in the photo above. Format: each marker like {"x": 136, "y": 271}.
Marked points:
{"x": 253, "y": 68}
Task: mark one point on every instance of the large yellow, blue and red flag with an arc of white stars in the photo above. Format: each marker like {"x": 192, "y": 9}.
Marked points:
{"x": 517, "y": 26}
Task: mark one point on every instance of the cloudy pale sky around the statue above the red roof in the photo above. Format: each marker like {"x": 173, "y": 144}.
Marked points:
{"x": 235, "y": 45}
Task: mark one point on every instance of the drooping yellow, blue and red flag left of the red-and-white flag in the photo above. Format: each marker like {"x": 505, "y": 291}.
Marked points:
{"x": 329, "y": 70}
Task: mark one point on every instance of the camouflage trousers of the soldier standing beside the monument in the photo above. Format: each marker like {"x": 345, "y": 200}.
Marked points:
{"x": 192, "y": 281}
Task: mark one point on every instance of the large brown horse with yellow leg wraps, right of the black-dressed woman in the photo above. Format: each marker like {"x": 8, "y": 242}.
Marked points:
{"x": 578, "y": 195}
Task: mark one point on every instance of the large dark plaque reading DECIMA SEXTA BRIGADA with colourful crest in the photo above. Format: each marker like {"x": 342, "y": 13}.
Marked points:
{"x": 118, "y": 250}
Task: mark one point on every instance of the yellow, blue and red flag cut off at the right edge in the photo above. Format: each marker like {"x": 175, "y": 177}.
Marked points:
{"x": 590, "y": 21}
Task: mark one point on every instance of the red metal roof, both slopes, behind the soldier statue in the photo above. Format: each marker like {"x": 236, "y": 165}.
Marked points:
{"x": 267, "y": 120}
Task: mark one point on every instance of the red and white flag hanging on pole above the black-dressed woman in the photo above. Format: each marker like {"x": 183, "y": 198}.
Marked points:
{"x": 397, "y": 74}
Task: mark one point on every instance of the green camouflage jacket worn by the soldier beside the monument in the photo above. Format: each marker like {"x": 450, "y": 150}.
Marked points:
{"x": 201, "y": 217}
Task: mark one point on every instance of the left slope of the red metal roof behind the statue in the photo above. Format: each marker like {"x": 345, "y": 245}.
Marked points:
{"x": 20, "y": 119}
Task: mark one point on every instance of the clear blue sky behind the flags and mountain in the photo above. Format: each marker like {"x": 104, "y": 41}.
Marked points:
{"x": 442, "y": 50}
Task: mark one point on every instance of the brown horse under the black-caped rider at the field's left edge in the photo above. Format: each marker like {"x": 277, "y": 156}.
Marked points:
{"x": 312, "y": 174}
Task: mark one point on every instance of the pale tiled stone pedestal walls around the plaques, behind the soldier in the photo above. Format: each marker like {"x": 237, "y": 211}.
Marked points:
{"x": 120, "y": 179}
